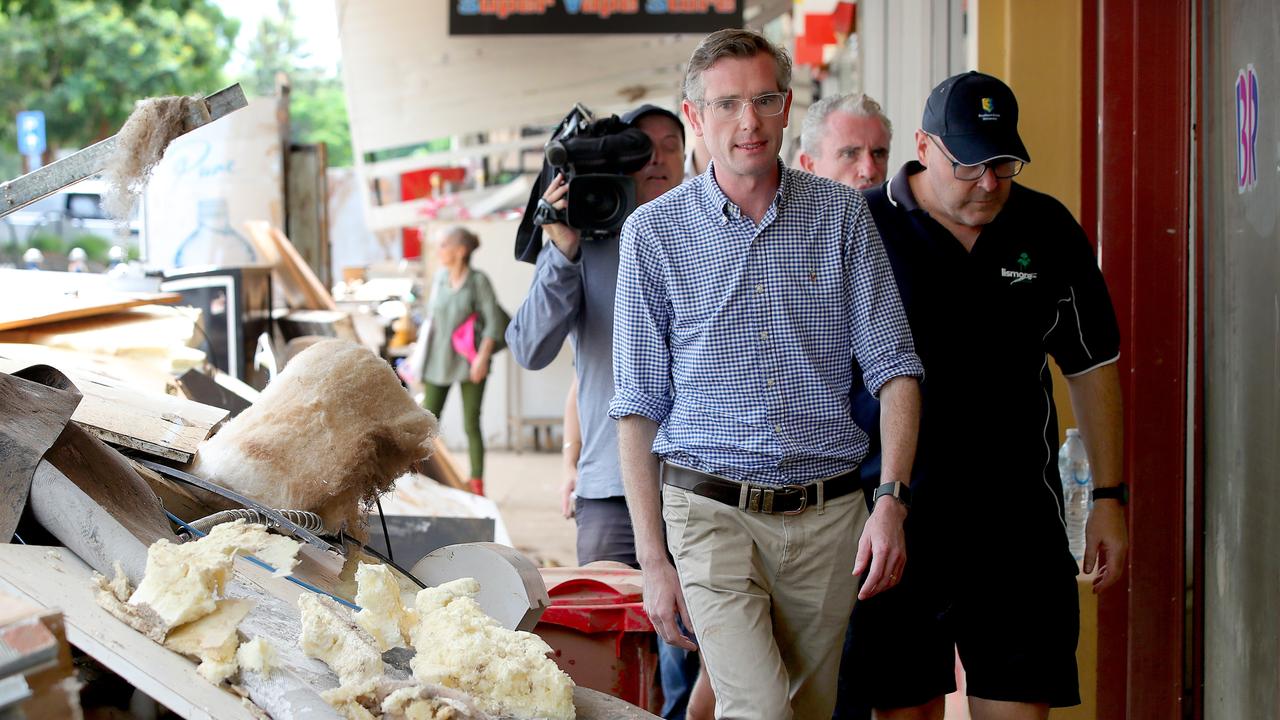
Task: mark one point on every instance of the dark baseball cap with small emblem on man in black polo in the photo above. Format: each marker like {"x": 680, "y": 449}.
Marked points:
{"x": 976, "y": 116}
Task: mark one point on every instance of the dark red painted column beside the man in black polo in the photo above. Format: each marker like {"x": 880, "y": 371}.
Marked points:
{"x": 1140, "y": 195}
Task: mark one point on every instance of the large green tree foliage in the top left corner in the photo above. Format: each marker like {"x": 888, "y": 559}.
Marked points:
{"x": 85, "y": 63}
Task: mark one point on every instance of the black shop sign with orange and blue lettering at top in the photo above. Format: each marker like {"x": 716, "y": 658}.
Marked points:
{"x": 560, "y": 17}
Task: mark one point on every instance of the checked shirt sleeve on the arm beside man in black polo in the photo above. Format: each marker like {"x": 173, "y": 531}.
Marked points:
{"x": 883, "y": 338}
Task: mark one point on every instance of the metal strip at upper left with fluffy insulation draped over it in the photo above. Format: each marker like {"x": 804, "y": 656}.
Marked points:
{"x": 56, "y": 176}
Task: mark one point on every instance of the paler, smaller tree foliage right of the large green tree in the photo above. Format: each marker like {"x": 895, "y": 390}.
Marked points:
{"x": 318, "y": 104}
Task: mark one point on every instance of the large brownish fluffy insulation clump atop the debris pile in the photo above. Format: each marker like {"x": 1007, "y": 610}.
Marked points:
{"x": 332, "y": 432}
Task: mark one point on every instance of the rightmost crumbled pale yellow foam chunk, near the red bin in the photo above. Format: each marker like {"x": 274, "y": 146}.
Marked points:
{"x": 506, "y": 673}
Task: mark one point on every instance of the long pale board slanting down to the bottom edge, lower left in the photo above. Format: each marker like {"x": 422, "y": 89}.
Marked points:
{"x": 57, "y": 578}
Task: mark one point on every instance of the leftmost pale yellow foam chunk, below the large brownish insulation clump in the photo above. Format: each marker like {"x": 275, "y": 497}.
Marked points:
{"x": 182, "y": 582}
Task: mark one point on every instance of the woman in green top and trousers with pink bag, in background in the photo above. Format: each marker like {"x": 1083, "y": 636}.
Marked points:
{"x": 456, "y": 353}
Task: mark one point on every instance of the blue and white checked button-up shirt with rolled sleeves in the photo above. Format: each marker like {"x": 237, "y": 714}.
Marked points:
{"x": 740, "y": 340}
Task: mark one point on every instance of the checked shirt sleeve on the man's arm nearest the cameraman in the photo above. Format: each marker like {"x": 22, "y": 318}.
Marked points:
{"x": 642, "y": 318}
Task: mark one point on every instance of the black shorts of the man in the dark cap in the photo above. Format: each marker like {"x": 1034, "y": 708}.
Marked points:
{"x": 1016, "y": 626}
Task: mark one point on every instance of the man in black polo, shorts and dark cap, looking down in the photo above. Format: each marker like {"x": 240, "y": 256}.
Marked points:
{"x": 995, "y": 279}
